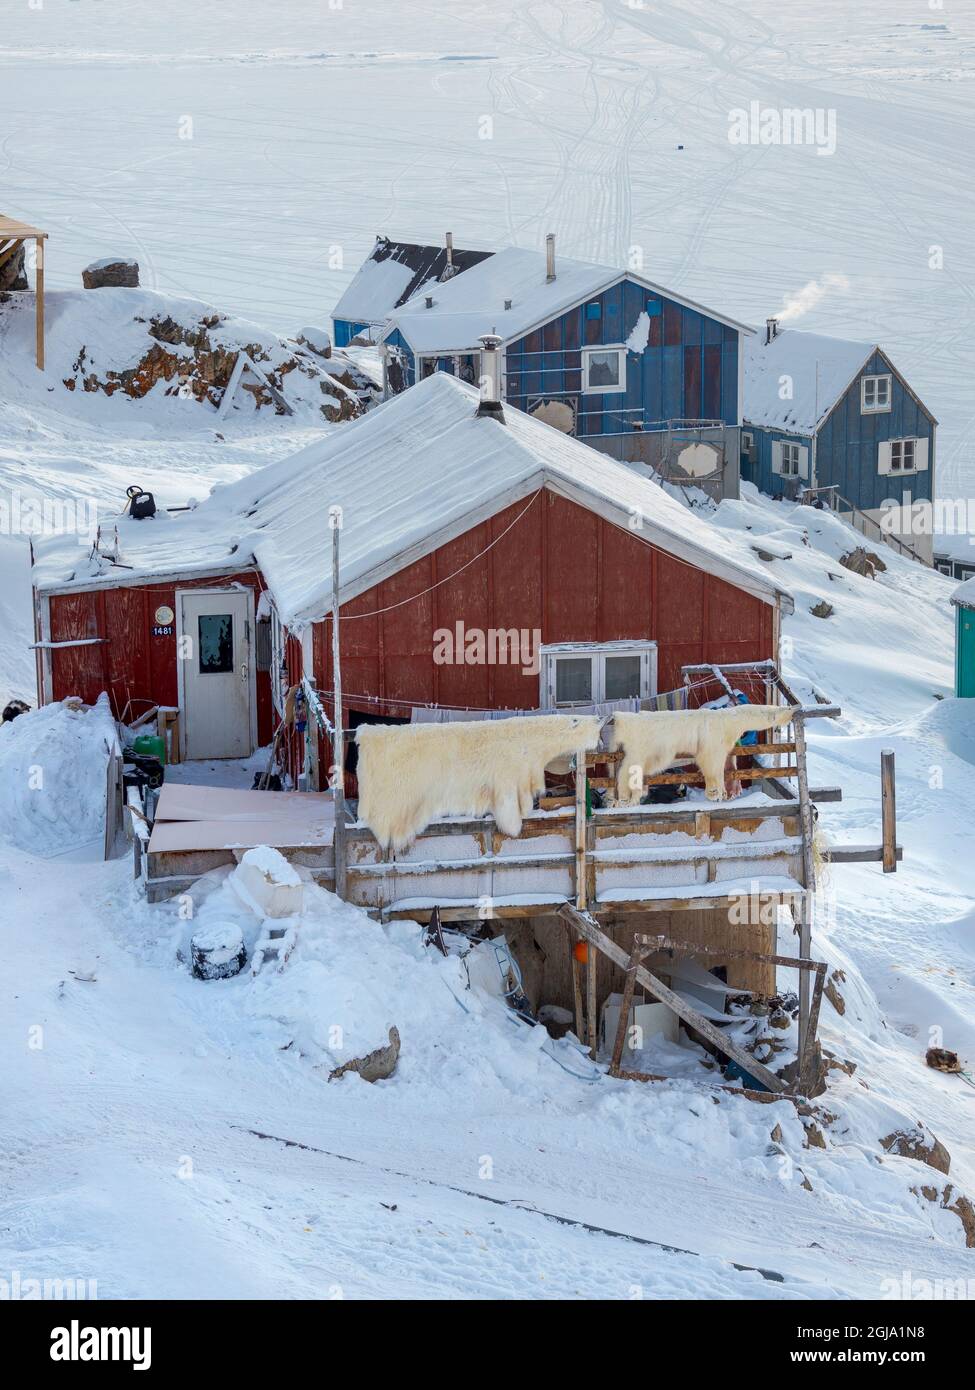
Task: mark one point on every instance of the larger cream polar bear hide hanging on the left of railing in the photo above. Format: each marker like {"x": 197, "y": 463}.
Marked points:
{"x": 410, "y": 775}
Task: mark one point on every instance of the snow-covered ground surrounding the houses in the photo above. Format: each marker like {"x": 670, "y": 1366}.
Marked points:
{"x": 252, "y": 176}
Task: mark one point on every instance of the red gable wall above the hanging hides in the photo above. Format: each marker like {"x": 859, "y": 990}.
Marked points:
{"x": 563, "y": 571}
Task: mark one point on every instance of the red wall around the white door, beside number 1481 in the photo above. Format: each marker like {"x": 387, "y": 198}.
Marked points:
{"x": 133, "y": 664}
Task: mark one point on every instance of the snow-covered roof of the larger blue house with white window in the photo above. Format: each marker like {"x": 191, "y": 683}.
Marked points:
{"x": 475, "y": 304}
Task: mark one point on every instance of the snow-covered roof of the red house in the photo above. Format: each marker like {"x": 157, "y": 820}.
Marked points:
{"x": 410, "y": 477}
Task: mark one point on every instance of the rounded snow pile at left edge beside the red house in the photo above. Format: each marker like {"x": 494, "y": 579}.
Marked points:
{"x": 54, "y": 767}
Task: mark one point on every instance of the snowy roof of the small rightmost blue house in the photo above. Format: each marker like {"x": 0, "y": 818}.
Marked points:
{"x": 821, "y": 372}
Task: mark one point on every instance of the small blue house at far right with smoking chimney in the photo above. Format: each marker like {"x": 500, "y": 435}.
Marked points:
{"x": 837, "y": 416}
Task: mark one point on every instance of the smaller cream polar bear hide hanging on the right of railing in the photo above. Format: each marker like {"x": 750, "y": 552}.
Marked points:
{"x": 656, "y": 742}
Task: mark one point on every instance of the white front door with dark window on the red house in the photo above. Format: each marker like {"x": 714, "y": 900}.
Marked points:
{"x": 216, "y": 672}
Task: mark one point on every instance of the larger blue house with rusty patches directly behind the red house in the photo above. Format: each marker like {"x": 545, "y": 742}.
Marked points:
{"x": 606, "y": 355}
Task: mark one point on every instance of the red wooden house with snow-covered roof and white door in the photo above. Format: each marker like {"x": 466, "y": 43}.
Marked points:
{"x": 486, "y": 564}
